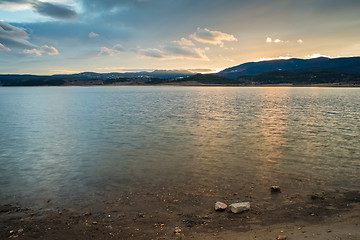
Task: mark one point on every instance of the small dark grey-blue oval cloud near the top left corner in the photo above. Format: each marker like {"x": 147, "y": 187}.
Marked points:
{"x": 58, "y": 11}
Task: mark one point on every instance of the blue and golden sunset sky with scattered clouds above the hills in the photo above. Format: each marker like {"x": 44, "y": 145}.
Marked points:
{"x": 70, "y": 36}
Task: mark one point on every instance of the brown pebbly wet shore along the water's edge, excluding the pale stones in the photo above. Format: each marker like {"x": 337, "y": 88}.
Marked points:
{"x": 323, "y": 215}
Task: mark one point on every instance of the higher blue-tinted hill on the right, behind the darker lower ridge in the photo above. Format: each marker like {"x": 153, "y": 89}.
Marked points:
{"x": 341, "y": 65}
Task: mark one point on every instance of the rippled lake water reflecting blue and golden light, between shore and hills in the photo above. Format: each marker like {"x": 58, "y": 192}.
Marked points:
{"x": 85, "y": 144}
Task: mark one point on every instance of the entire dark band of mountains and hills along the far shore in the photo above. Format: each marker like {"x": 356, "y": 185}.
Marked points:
{"x": 291, "y": 71}
